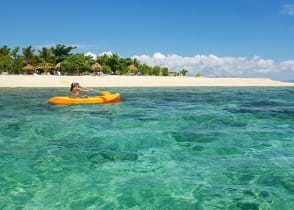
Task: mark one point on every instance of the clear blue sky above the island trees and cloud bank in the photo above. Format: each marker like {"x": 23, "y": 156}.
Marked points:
{"x": 186, "y": 28}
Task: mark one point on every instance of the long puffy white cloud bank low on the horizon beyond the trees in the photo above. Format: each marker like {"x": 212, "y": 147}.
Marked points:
{"x": 214, "y": 66}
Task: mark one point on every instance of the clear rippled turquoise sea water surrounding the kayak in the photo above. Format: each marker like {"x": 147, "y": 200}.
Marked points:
{"x": 176, "y": 148}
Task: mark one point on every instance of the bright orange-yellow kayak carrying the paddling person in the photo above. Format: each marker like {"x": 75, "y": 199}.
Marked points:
{"x": 105, "y": 98}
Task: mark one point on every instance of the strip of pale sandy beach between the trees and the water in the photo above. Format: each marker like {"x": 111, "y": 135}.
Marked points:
{"x": 13, "y": 81}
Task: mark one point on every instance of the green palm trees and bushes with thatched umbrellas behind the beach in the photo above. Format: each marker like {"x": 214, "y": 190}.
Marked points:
{"x": 60, "y": 59}
